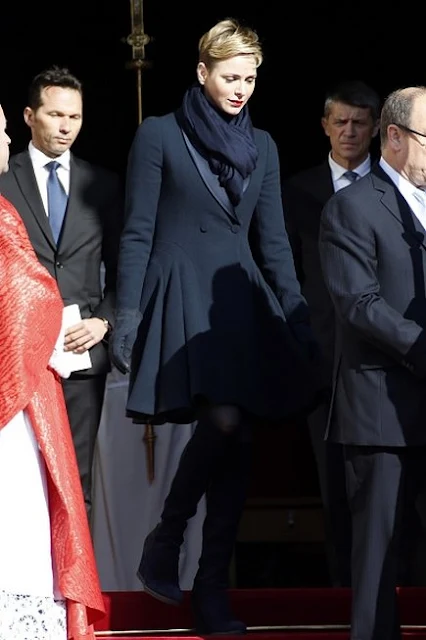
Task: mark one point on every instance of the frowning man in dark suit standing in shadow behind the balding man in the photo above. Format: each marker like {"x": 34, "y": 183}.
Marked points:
{"x": 350, "y": 120}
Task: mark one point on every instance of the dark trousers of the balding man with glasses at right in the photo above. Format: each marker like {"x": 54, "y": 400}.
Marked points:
{"x": 383, "y": 486}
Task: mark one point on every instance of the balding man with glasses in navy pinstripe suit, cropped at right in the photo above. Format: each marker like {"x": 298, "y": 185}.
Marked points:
{"x": 372, "y": 248}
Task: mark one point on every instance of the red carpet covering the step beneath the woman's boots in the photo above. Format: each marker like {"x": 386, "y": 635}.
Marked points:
{"x": 271, "y": 614}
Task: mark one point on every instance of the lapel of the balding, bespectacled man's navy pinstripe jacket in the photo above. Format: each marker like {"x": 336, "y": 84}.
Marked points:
{"x": 398, "y": 206}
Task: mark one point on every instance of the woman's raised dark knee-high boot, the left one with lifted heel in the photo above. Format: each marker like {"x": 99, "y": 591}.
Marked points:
{"x": 159, "y": 566}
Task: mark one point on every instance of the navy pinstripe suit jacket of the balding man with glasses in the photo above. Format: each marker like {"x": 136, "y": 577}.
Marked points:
{"x": 373, "y": 258}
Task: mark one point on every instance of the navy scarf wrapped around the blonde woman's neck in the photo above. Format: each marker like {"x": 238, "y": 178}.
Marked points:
{"x": 226, "y": 142}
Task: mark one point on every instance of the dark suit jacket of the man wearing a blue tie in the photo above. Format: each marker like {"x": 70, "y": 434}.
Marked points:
{"x": 89, "y": 238}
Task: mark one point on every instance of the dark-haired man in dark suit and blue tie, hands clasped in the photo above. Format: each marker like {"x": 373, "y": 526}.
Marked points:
{"x": 74, "y": 243}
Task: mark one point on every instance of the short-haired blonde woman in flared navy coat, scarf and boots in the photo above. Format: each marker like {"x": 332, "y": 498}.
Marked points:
{"x": 209, "y": 330}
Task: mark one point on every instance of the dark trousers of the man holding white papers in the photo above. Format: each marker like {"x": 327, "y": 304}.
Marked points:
{"x": 84, "y": 398}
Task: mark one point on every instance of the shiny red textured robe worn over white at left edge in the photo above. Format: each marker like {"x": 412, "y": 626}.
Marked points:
{"x": 30, "y": 320}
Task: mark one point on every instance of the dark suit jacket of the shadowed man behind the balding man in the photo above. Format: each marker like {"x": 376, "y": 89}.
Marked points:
{"x": 304, "y": 196}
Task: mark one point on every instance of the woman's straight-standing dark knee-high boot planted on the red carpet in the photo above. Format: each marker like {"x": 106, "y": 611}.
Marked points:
{"x": 225, "y": 500}
